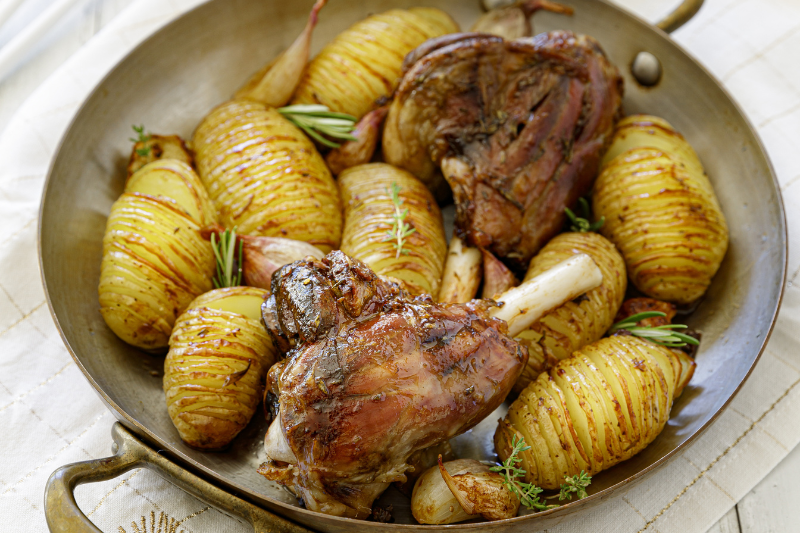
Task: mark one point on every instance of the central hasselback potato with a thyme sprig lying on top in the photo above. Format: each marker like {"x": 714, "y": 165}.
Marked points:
{"x": 370, "y": 213}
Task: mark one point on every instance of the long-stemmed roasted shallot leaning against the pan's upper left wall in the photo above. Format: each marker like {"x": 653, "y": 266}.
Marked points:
{"x": 274, "y": 84}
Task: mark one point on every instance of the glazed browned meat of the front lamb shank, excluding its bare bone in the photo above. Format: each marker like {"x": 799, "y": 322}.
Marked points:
{"x": 374, "y": 377}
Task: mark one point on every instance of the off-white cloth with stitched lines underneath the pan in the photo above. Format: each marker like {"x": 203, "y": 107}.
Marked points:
{"x": 51, "y": 416}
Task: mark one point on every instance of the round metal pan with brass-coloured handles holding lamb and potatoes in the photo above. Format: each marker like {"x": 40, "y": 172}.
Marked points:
{"x": 175, "y": 77}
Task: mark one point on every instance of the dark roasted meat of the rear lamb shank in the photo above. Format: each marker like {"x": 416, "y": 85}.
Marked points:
{"x": 516, "y": 127}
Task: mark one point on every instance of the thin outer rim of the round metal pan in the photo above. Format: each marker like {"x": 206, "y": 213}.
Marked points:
{"x": 246, "y": 493}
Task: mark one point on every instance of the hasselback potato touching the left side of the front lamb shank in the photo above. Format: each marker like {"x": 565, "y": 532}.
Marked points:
{"x": 219, "y": 354}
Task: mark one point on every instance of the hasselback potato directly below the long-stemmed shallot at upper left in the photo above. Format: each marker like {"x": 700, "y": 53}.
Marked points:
{"x": 265, "y": 176}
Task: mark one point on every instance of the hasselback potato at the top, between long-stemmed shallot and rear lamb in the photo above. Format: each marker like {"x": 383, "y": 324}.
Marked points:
{"x": 364, "y": 62}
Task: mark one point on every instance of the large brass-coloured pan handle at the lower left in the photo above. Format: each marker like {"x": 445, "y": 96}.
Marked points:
{"x": 64, "y": 515}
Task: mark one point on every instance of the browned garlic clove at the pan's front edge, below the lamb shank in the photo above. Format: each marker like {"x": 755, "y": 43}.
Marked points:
{"x": 445, "y": 493}
